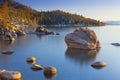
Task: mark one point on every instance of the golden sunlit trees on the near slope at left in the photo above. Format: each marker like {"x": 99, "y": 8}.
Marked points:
{"x": 11, "y": 17}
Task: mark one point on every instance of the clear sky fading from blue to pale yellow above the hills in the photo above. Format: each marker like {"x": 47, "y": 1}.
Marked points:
{"x": 97, "y": 9}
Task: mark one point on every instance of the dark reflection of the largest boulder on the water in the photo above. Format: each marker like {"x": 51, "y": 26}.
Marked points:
{"x": 81, "y": 56}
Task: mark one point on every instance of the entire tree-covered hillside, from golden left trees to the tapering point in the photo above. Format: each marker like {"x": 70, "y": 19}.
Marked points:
{"x": 13, "y": 13}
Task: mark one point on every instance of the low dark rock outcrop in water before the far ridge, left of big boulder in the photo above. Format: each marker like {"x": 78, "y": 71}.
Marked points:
{"x": 44, "y": 31}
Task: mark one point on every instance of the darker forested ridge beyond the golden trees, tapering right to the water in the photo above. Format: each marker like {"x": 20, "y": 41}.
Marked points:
{"x": 60, "y": 17}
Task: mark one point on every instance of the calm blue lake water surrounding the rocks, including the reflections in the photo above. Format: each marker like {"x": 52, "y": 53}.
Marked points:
{"x": 71, "y": 64}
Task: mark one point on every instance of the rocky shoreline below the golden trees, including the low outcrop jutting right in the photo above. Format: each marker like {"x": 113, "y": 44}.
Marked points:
{"x": 11, "y": 35}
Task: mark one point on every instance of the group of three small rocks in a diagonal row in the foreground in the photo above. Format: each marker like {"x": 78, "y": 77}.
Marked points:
{"x": 49, "y": 72}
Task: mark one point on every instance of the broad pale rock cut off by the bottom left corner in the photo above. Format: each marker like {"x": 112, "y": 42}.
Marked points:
{"x": 10, "y": 75}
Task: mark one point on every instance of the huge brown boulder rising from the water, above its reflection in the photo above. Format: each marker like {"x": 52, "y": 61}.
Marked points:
{"x": 82, "y": 39}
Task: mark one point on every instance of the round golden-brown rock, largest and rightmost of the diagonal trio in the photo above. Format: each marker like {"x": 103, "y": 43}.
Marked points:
{"x": 50, "y": 72}
